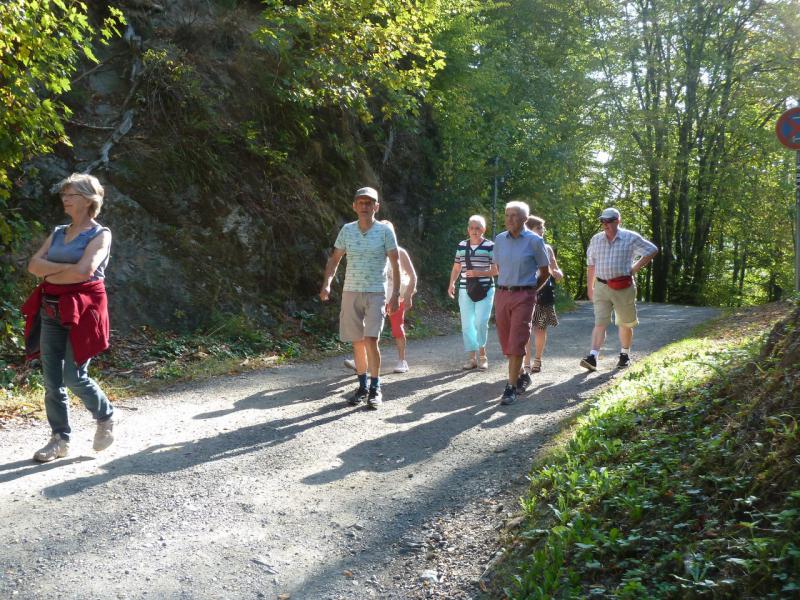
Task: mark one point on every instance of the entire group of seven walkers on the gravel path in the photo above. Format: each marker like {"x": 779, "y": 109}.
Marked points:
{"x": 66, "y": 316}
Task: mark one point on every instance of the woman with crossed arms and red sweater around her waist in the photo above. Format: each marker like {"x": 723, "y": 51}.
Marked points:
{"x": 67, "y": 316}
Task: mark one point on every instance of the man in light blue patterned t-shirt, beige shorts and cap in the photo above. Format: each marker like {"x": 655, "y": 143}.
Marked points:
{"x": 366, "y": 242}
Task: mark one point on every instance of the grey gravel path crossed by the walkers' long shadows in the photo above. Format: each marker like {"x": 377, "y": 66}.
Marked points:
{"x": 269, "y": 483}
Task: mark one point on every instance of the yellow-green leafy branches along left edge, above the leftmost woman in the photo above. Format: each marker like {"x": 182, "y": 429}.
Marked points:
{"x": 41, "y": 46}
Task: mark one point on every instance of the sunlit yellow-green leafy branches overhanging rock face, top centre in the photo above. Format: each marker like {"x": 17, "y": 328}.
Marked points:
{"x": 348, "y": 53}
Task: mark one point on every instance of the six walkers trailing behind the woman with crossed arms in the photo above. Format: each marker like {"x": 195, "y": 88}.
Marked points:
{"x": 526, "y": 269}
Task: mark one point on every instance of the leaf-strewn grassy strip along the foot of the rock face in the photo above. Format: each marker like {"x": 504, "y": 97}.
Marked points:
{"x": 148, "y": 360}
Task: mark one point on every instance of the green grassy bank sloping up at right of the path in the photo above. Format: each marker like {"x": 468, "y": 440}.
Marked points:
{"x": 682, "y": 480}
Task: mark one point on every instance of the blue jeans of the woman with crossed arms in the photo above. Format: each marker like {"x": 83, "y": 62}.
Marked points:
{"x": 58, "y": 369}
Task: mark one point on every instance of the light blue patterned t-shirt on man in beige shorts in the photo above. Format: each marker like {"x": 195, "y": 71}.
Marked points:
{"x": 366, "y": 255}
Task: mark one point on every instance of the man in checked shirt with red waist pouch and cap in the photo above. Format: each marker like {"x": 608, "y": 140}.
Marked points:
{"x": 611, "y": 284}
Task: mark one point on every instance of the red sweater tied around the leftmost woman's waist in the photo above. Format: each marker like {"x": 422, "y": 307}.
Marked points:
{"x": 82, "y": 308}
